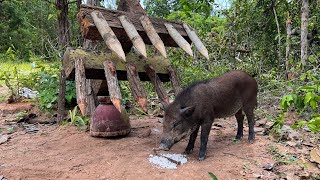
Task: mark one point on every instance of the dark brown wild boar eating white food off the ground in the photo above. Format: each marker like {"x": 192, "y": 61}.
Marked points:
{"x": 198, "y": 105}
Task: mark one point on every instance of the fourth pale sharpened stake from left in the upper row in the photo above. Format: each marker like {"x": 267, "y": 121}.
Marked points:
{"x": 179, "y": 39}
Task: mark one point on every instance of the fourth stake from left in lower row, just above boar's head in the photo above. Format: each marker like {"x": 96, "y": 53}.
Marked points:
{"x": 158, "y": 86}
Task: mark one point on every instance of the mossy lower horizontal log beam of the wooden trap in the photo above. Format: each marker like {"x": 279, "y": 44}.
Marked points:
{"x": 94, "y": 69}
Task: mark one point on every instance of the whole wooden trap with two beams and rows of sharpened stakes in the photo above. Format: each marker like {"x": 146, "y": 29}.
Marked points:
{"x": 98, "y": 73}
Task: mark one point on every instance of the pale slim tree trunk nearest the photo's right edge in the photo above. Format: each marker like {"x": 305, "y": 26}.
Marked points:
{"x": 304, "y": 31}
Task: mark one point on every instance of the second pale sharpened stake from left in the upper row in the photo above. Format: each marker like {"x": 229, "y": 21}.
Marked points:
{"x": 133, "y": 35}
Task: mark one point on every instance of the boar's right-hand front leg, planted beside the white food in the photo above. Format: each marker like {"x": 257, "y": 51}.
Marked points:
{"x": 205, "y": 131}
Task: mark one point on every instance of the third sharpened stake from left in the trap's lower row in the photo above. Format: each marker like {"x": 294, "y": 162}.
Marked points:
{"x": 136, "y": 87}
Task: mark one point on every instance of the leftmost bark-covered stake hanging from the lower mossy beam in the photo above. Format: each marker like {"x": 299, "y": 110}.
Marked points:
{"x": 80, "y": 79}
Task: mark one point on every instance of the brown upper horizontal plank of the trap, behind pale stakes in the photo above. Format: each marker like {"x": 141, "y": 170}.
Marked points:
{"x": 90, "y": 31}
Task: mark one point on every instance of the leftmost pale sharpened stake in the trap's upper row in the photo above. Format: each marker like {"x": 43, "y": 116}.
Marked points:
{"x": 107, "y": 34}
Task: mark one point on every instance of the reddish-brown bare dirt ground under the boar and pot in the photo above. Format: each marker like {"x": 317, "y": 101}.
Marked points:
{"x": 65, "y": 152}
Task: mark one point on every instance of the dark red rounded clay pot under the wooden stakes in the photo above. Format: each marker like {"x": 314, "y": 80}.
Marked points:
{"x": 107, "y": 121}
